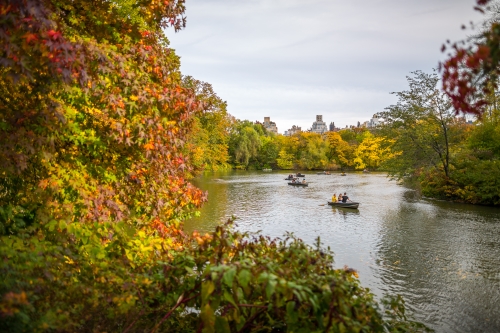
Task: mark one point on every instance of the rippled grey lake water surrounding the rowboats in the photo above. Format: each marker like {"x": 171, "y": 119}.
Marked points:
{"x": 443, "y": 258}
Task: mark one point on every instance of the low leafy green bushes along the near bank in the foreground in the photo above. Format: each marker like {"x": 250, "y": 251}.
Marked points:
{"x": 222, "y": 282}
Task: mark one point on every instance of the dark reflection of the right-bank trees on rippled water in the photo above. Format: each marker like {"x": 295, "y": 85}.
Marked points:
{"x": 432, "y": 255}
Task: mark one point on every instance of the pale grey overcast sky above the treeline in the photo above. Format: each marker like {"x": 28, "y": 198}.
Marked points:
{"x": 295, "y": 59}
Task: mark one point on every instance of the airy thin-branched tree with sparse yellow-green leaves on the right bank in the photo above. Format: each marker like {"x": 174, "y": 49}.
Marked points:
{"x": 420, "y": 125}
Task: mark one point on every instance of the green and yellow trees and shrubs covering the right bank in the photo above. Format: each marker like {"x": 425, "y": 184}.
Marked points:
{"x": 449, "y": 158}
